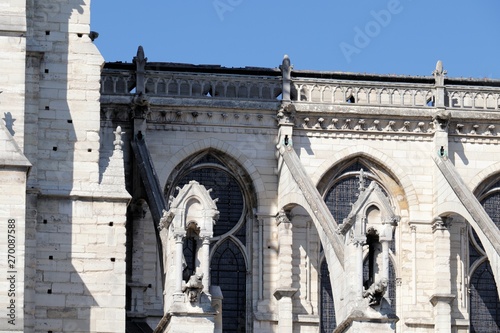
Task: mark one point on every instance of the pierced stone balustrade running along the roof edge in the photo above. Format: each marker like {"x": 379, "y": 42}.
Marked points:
{"x": 320, "y": 91}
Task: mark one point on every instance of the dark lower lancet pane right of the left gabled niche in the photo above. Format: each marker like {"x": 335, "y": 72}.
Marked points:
{"x": 229, "y": 272}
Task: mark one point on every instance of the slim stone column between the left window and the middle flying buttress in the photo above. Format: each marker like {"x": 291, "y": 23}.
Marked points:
{"x": 285, "y": 292}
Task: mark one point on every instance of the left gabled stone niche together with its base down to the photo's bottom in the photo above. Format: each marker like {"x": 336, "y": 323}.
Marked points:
{"x": 186, "y": 230}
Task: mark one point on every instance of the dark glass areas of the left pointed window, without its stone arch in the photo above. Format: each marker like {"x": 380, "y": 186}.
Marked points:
{"x": 227, "y": 267}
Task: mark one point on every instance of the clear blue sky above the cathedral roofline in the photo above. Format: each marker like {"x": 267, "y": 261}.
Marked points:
{"x": 404, "y": 37}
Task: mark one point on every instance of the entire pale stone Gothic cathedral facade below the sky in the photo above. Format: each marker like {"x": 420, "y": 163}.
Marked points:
{"x": 166, "y": 197}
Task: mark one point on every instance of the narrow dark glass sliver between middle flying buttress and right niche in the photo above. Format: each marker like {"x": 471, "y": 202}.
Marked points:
{"x": 328, "y": 321}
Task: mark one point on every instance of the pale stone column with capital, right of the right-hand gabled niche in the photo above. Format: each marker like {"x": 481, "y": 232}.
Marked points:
{"x": 442, "y": 297}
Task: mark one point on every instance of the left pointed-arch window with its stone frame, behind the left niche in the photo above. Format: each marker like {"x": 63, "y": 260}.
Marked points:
{"x": 228, "y": 249}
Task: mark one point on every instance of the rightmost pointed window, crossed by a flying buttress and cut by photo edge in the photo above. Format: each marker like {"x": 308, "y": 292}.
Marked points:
{"x": 484, "y": 299}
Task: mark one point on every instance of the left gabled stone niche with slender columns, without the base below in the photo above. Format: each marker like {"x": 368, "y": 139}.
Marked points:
{"x": 186, "y": 231}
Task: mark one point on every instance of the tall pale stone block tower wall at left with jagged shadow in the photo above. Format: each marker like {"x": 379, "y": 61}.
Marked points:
{"x": 77, "y": 201}
